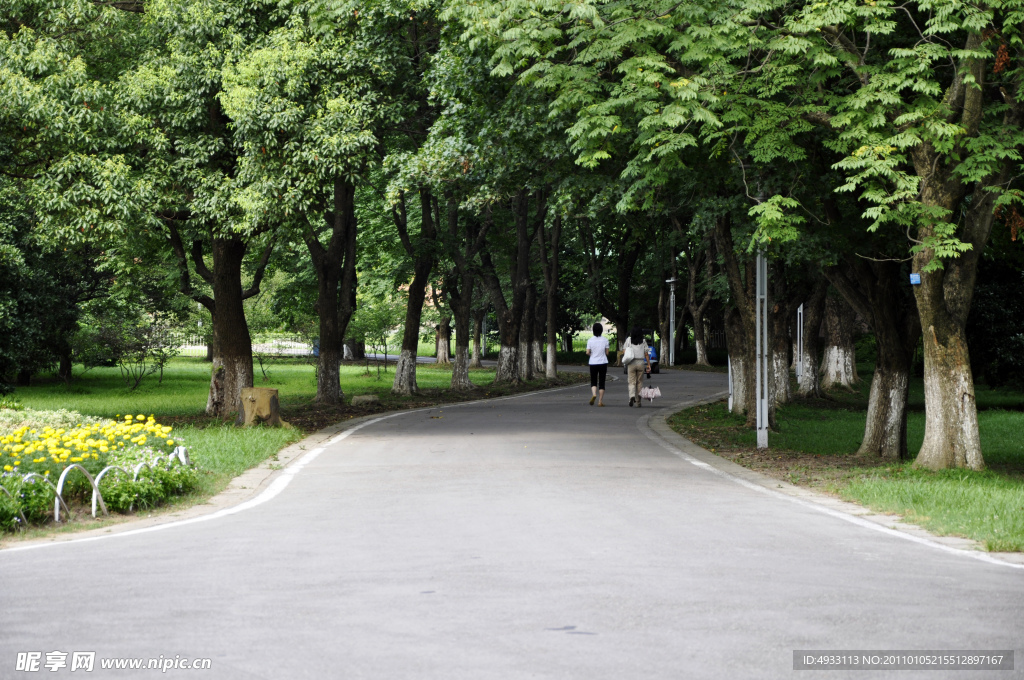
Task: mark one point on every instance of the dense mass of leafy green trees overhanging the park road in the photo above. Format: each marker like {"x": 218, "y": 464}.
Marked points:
{"x": 379, "y": 174}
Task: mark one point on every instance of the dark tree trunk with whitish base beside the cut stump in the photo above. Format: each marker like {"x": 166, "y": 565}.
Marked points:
{"x": 233, "y": 364}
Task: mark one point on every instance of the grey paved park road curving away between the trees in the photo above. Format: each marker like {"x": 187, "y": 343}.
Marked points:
{"x": 528, "y": 538}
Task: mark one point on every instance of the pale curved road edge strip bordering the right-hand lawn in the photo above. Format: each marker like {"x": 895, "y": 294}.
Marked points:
{"x": 656, "y": 429}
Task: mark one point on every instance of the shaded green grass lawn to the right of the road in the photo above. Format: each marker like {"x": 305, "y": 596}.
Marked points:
{"x": 817, "y": 442}
